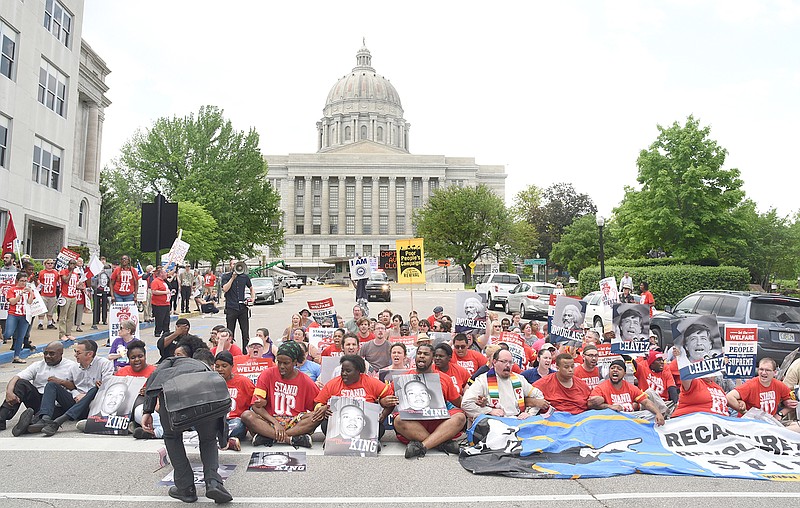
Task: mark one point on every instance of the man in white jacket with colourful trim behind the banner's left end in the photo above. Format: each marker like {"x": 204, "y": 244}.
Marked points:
{"x": 500, "y": 392}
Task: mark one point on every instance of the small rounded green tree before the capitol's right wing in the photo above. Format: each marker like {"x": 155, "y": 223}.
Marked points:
{"x": 463, "y": 223}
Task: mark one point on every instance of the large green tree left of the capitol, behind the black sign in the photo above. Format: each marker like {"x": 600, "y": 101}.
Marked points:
{"x": 202, "y": 159}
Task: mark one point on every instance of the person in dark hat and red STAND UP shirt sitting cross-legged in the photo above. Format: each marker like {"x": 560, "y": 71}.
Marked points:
{"x": 284, "y": 401}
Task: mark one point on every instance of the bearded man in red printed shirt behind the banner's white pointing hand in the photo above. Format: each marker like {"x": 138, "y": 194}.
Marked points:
{"x": 617, "y": 394}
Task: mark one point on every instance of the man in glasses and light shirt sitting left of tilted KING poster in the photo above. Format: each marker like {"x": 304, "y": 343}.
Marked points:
{"x": 74, "y": 401}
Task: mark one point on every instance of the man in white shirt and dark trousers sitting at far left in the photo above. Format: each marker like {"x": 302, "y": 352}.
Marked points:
{"x": 27, "y": 387}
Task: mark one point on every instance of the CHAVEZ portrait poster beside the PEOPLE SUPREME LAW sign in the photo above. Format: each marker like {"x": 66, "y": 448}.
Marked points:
{"x": 699, "y": 346}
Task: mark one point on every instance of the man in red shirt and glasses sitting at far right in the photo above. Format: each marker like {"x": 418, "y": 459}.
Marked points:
{"x": 763, "y": 392}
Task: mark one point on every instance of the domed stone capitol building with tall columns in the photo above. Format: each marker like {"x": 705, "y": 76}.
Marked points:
{"x": 357, "y": 193}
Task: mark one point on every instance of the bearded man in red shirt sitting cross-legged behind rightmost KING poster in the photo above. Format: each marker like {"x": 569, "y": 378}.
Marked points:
{"x": 422, "y": 435}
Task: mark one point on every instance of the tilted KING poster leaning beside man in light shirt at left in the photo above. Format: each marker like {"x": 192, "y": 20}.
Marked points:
{"x": 110, "y": 410}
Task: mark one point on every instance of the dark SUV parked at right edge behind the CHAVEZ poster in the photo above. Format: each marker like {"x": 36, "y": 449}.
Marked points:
{"x": 777, "y": 317}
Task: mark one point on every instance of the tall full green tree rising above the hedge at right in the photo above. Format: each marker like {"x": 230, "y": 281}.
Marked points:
{"x": 686, "y": 202}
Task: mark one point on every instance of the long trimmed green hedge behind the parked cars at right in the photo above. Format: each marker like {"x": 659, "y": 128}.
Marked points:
{"x": 669, "y": 284}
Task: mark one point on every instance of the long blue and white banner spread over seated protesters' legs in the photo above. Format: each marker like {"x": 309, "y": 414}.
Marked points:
{"x": 599, "y": 444}
